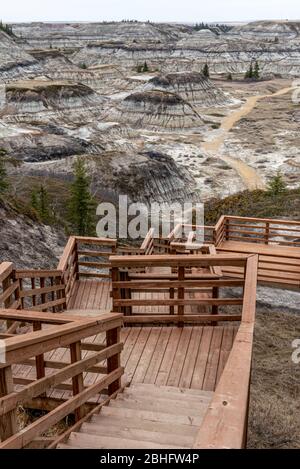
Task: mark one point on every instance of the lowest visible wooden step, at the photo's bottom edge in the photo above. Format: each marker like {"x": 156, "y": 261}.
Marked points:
{"x": 85, "y": 440}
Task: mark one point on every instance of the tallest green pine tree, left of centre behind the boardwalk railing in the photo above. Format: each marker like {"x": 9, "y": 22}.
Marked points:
{"x": 82, "y": 205}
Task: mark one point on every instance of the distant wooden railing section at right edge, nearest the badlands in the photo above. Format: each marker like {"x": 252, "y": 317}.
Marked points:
{"x": 258, "y": 230}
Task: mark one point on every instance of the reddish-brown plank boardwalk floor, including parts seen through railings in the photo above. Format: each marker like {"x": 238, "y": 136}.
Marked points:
{"x": 189, "y": 357}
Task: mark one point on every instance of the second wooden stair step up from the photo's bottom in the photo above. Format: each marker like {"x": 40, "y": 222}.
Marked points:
{"x": 124, "y": 431}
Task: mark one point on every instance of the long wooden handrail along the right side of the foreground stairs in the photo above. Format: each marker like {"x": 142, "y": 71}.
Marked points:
{"x": 225, "y": 423}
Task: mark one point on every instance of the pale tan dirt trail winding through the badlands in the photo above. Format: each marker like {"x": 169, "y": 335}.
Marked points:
{"x": 248, "y": 174}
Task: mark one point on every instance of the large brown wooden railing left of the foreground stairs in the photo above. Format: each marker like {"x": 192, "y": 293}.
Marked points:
{"x": 53, "y": 333}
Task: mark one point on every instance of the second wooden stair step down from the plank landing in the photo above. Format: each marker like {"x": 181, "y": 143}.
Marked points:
{"x": 159, "y": 404}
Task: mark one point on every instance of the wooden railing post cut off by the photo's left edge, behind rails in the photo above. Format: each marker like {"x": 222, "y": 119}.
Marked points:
{"x": 8, "y": 422}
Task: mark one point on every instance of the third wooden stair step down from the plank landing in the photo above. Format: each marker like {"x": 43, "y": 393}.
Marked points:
{"x": 151, "y": 415}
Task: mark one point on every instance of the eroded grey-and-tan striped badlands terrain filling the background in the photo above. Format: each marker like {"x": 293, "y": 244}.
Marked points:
{"x": 166, "y": 133}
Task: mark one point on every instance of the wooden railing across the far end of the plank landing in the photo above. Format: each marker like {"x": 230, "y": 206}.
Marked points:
{"x": 179, "y": 294}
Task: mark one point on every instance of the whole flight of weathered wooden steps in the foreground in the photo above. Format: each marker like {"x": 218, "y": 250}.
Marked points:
{"x": 145, "y": 416}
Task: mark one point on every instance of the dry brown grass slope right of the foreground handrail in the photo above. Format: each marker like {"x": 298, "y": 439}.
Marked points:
{"x": 275, "y": 390}
